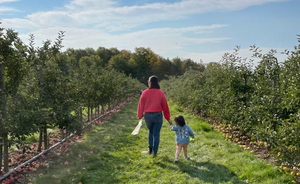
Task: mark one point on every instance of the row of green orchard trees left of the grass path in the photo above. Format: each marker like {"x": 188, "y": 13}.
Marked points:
{"x": 43, "y": 87}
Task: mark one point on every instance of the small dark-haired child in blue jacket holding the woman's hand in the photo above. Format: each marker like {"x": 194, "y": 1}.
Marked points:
{"x": 183, "y": 132}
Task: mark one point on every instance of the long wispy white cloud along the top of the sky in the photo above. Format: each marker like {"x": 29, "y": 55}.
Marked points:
{"x": 108, "y": 15}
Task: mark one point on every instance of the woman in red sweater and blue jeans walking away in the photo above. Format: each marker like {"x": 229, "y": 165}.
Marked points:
{"x": 151, "y": 105}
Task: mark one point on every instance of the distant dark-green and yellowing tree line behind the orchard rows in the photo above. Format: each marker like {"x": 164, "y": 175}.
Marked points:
{"x": 140, "y": 64}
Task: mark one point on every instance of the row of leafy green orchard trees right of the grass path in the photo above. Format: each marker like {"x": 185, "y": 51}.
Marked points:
{"x": 262, "y": 99}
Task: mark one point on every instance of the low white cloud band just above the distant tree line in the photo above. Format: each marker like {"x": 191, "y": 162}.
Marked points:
{"x": 161, "y": 40}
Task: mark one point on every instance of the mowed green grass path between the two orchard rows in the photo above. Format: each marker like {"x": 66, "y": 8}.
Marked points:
{"x": 117, "y": 157}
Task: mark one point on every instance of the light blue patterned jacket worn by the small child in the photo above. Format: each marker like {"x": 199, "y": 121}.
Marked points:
{"x": 182, "y": 134}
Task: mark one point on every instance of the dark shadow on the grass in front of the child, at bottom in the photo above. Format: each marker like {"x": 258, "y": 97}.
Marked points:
{"x": 206, "y": 172}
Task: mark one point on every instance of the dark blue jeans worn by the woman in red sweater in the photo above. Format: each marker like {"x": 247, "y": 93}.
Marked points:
{"x": 154, "y": 122}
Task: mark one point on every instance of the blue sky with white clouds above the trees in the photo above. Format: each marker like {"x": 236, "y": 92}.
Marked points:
{"x": 197, "y": 29}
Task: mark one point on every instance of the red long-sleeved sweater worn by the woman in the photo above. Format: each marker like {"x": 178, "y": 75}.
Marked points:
{"x": 153, "y": 100}
